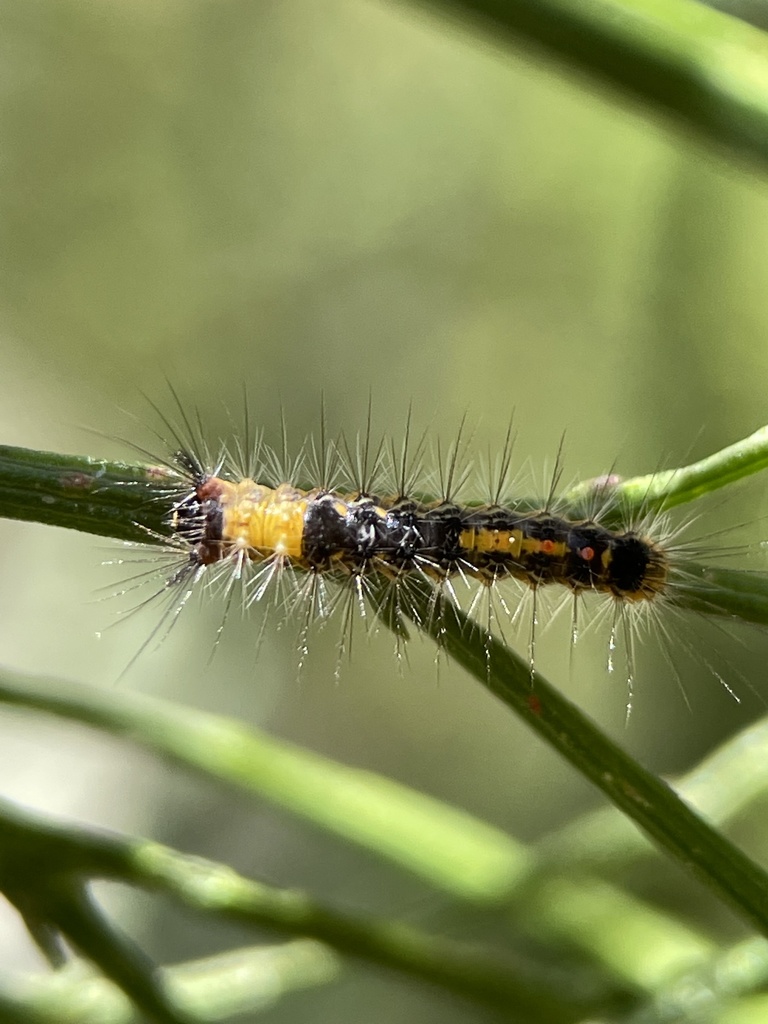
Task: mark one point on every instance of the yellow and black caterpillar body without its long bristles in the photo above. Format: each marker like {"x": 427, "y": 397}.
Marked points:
{"x": 356, "y": 535}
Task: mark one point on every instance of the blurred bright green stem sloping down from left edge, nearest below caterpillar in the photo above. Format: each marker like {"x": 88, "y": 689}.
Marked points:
{"x": 446, "y": 846}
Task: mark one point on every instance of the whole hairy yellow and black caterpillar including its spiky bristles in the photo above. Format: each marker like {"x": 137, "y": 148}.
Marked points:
{"x": 340, "y": 526}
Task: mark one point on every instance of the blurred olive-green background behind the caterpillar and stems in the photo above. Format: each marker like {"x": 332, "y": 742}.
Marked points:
{"x": 350, "y": 198}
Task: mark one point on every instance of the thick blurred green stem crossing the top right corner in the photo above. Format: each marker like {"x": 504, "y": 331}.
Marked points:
{"x": 708, "y": 70}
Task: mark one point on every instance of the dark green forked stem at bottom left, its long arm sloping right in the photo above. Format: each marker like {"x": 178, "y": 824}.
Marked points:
{"x": 54, "y": 860}
